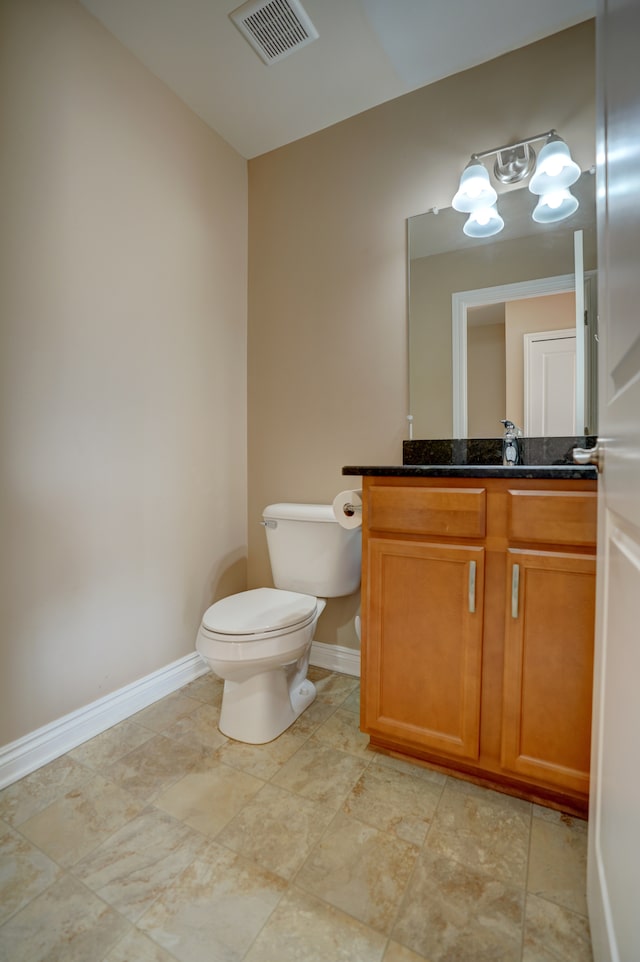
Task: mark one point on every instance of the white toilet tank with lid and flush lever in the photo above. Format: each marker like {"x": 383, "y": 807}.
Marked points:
{"x": 310, "y": 552}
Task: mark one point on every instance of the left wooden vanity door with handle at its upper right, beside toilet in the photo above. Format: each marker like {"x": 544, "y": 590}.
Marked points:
{"x": 423, "y": 618}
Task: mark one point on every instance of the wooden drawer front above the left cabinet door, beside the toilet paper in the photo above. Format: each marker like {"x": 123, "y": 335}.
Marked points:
{"x": 448, "y": 512}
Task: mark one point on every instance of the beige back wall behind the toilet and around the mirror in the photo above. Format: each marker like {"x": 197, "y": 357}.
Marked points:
{"x": 327, "y": 358}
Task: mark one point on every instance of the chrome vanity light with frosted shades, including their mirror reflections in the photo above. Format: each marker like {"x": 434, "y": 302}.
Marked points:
{"x": 553, "y": 174}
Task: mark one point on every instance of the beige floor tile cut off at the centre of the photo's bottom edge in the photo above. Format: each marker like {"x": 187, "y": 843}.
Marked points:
{"x": 304, "y": 929}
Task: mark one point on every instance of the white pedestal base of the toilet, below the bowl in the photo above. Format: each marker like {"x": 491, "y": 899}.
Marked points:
{"x": 259, "y": 709}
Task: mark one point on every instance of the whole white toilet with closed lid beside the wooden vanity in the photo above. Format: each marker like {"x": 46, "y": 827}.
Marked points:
{"x": 259, "y": 641}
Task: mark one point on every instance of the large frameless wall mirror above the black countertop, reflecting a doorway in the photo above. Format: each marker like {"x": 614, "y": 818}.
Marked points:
{"x": 504, "y": 326}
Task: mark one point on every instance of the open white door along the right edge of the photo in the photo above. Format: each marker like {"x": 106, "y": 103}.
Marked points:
{"x": 614, "y": 819}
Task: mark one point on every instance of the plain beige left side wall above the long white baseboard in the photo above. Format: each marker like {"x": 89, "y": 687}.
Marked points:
{"x": 124, "y": 245}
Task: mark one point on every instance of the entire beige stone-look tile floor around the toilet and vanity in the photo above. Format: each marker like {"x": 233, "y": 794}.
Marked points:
{"x": 161, "y": 840}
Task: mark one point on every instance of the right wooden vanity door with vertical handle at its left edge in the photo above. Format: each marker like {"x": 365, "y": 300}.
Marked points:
{"x": 548, "y": 667}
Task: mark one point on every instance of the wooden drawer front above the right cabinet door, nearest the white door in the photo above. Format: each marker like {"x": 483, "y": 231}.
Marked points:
{"x": 553, "y": 517}
